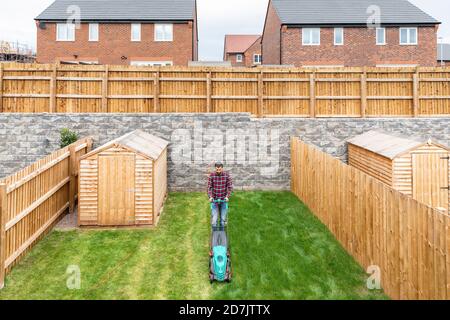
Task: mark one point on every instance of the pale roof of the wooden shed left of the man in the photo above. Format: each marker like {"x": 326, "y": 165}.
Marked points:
{"x": 139, "y": 141}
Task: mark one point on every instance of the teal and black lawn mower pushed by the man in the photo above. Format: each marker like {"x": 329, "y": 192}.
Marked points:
{"x": 220, "y": 258}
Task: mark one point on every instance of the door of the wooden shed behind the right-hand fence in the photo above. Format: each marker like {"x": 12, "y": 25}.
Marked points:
{"x": 430, "y": 179}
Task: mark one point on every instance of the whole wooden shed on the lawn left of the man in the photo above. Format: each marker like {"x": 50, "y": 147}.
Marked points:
{"x": 124, "y": 182}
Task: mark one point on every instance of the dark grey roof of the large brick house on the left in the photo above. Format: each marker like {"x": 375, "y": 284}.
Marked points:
{"x": 122, "y": 10}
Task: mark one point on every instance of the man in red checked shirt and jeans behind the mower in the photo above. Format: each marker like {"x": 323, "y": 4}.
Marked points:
{"x": 220, "y": 187}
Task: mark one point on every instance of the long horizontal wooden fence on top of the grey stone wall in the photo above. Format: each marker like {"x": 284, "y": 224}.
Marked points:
{"x": 264, "y": 92}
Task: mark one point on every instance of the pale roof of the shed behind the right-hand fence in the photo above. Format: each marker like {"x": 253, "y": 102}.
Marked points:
{"x": 387, "y": 144}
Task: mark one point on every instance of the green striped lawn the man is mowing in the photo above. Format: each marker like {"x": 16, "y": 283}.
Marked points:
{"x": 279, "y": 251}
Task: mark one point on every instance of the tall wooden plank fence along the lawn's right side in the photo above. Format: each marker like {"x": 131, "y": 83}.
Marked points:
{"x": 379, "y": 226}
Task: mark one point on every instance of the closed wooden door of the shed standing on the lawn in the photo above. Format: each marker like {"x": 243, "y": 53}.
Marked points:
{"x": 116, "y": 190}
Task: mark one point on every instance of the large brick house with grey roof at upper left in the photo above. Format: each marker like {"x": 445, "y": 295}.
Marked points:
{"x": 148, "y": 32}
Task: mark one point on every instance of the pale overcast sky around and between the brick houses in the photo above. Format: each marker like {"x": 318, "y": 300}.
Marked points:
{"x": 216, "y": 18}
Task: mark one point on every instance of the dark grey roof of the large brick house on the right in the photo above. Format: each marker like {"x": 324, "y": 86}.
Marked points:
{"x": 332, "y": 12}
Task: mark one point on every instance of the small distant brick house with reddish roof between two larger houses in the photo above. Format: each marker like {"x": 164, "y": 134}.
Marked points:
{"x": 242, "y": 50}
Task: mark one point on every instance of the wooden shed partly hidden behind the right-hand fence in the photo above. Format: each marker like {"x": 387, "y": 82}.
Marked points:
{"x": 413, "y": 166}
